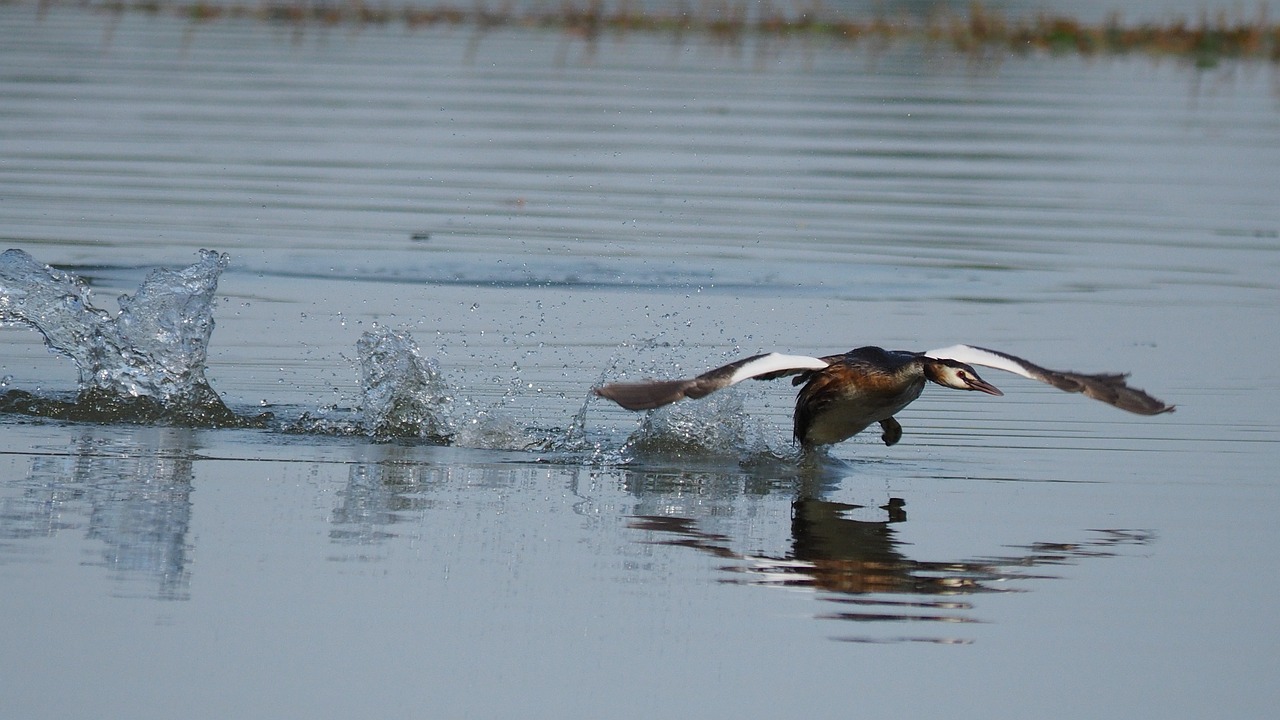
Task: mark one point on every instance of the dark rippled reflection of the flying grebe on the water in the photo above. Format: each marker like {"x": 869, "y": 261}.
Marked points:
{"x": 868, "y": 577}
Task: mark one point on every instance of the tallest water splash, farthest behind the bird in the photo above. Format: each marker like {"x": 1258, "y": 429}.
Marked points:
{"x": 144, "y": 364}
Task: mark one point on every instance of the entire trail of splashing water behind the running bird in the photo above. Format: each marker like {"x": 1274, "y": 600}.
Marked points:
{"x": 148, "y": 364}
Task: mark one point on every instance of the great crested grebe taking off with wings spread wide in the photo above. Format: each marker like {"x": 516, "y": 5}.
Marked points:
{"x": 845, "y": 394}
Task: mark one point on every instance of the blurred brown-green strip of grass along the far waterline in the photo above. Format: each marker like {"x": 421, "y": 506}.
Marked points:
{"x": 1206, "y": 39}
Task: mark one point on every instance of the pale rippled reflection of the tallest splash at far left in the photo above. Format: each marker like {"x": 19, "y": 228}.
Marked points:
{"x": 130, "y": 493}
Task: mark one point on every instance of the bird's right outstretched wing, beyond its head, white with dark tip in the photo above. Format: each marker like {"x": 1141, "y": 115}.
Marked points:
{"x": 1108, "y": 388}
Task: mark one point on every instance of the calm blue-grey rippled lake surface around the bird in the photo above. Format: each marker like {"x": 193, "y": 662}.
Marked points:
{"x": 543, "y": 216}
